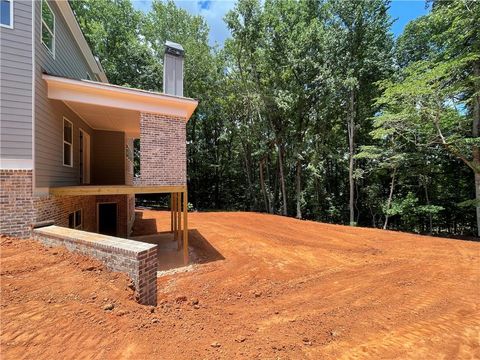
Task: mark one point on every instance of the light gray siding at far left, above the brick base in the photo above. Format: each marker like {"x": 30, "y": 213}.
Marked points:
{"x": 16, "y": 84}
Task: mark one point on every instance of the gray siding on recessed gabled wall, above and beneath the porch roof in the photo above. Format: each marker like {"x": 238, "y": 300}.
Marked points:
{"x": 68, "y": 62}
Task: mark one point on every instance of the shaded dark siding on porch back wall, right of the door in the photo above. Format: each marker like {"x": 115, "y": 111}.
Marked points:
{"x": 108, "y": 158}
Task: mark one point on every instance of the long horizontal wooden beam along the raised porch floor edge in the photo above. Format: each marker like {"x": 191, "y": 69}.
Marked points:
{"x": 115, "y": 190}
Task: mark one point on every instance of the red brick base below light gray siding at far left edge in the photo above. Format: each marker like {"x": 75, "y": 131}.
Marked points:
{"x": 16, "y": 202}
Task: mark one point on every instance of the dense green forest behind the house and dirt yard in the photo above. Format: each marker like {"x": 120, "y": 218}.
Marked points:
{"x": 312, "y": 109}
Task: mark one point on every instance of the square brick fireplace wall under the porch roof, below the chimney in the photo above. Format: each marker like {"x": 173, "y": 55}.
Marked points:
{"x": 163, "y": 153}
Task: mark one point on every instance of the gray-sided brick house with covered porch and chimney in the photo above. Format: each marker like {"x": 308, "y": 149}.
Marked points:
{"x": 66, "y": 151}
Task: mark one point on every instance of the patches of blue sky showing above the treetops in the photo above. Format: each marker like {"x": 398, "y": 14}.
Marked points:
{"x": 214, "y": 11}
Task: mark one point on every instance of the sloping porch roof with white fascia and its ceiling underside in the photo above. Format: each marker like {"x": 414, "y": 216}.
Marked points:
{"x": 116, "y": 108}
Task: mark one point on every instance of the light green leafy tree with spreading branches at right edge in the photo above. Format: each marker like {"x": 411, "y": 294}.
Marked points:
{"x": 435, "y": 100}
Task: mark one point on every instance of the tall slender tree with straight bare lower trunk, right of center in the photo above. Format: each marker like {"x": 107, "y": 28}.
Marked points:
{"x": 363, "y": 47}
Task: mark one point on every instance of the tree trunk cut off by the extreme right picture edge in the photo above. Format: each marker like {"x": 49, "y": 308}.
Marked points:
{"x": 475, "y": 133}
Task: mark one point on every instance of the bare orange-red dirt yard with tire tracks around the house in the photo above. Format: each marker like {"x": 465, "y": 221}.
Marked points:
{"x": 264, "y": 287}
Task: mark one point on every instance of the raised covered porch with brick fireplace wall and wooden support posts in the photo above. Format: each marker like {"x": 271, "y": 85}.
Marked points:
{"x": 158, "y": 120}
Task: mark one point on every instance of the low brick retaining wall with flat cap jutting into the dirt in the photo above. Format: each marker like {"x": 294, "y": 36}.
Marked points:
{"x": 137, "y": 259}
